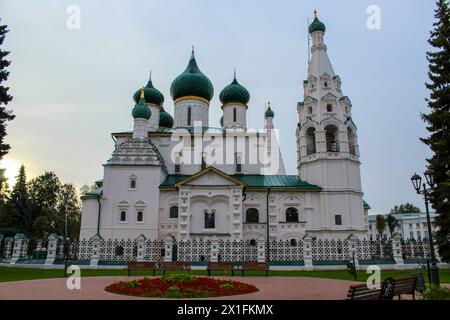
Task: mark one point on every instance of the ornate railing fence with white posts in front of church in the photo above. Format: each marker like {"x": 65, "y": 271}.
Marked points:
{"x": 306, "y": 251}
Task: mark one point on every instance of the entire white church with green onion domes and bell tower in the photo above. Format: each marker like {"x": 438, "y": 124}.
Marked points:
{"x": 179, "y": 177}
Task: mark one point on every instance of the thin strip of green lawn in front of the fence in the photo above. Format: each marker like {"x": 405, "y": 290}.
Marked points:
{"x": 17, "y": 274}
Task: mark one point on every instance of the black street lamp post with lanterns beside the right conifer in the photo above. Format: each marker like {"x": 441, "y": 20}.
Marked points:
{"x": 417, "y": 183}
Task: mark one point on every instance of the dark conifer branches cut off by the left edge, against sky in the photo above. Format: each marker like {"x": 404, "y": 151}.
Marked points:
{"x": 5, "y": 115}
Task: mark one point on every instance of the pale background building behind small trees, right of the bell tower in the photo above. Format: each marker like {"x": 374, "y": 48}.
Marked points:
{"x": 411, "y": 226}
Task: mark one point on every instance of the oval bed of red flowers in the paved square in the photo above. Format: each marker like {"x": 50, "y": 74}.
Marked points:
{"x": 180, "y": 286}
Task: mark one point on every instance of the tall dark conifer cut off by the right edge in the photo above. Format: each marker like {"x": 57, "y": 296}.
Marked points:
{"x": 438, "y": 121}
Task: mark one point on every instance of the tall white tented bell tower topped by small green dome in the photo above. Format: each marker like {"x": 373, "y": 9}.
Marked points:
{"x": 327, "y": 144}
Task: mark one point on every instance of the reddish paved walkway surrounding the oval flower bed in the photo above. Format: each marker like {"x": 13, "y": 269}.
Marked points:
{"x": 92, "y": 288}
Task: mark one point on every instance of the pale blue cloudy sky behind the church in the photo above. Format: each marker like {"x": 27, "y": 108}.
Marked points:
{"x": 73, "y": 87}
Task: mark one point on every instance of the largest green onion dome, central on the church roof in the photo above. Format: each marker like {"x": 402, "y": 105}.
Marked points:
{"x": 192, "y": 82}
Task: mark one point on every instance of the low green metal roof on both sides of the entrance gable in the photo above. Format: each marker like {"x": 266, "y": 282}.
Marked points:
{"x": 254, "y": 181}
